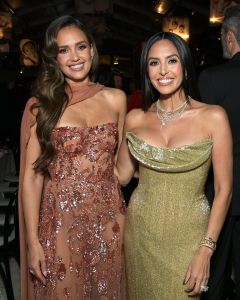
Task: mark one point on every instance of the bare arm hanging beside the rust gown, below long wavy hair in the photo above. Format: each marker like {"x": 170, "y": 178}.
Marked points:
{"x": 31, "y": 198}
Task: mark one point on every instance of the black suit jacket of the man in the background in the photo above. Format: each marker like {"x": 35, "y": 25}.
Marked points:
{"x": 221, "y": 85}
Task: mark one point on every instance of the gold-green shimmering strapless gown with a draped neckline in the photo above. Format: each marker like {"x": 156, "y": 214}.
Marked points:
{"x": 166, "y": 218}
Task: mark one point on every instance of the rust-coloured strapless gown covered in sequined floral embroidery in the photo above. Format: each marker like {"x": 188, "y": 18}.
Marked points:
{"x": 81, "y": 218}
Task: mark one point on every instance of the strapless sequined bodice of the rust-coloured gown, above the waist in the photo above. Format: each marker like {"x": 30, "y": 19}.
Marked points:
{"x": 83, "y": 151}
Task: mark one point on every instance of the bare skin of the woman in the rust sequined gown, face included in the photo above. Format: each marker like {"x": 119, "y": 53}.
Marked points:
{"x": 107, "y": 106}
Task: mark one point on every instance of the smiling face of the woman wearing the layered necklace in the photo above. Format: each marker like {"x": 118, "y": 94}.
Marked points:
{"x": 164, "y": 67}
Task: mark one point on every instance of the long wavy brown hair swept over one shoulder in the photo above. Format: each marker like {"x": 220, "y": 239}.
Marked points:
{"x": 50, "y": 85}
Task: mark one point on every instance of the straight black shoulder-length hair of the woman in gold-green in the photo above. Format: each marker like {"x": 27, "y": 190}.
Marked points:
{"x": 150, "y": 94}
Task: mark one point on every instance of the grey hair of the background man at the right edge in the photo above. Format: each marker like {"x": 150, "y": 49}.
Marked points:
{"x": 231, "y": 21}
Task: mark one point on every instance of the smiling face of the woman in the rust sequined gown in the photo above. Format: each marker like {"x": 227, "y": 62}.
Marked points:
{"x": 75, "y": 54}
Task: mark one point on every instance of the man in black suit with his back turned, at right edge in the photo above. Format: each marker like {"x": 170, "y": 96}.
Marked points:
{"x": 221, "y": 85}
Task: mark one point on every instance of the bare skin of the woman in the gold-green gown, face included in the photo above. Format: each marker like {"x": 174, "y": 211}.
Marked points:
{"x": 203, "y": 122}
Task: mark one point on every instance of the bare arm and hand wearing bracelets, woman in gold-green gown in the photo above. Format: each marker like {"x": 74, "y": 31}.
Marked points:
{"x": 198, "y": 272}
